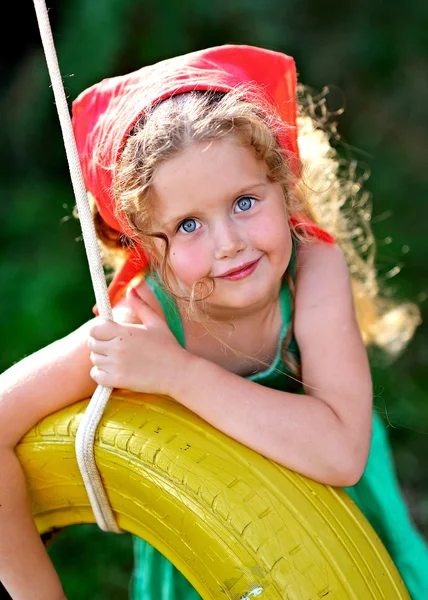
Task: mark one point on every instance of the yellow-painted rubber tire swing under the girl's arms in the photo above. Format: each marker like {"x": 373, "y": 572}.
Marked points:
{"x": 235, "y": 524}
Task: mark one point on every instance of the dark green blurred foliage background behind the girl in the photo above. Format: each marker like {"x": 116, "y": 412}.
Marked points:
{"x": 374, "y": 56}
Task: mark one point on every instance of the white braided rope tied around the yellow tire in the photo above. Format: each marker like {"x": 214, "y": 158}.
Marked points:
{"x": 91, "y": 418}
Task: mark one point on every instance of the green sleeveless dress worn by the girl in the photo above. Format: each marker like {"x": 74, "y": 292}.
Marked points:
{"x": 377, "y": 493}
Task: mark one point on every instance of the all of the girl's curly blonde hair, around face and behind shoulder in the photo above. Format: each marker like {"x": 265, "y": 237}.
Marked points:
{"x": 327, "y": 191}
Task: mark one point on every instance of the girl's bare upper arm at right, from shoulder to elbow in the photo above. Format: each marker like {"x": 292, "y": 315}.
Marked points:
{"x": 334, "y": 358}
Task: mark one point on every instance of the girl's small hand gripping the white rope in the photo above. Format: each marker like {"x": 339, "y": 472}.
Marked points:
{"x": 137, "y": 357}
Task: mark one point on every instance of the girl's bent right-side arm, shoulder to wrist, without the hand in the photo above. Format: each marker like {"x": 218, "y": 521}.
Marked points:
{"x": 326, "y": 433}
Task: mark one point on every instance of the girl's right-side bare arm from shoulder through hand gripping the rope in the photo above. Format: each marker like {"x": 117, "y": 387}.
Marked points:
{"x": 324, "y": 434}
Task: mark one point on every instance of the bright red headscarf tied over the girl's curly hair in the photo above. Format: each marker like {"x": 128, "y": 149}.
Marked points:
{"x": 104, "y": 115}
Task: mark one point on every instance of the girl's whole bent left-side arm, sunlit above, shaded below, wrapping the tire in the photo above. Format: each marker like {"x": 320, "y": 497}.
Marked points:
{"x": 42, "y": 383}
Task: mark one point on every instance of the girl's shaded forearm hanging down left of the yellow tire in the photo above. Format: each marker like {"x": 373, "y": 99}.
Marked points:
{"x": 25, "y": 568}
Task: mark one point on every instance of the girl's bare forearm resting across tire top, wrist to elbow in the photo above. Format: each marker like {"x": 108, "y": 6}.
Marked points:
{"x": 300, "y": 432}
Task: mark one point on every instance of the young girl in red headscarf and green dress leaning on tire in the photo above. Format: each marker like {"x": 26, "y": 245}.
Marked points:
{"x": 231, "y": 297}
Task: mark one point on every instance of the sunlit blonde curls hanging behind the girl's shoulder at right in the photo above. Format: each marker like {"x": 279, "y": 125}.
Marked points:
{"x": 343, "y": 208}
